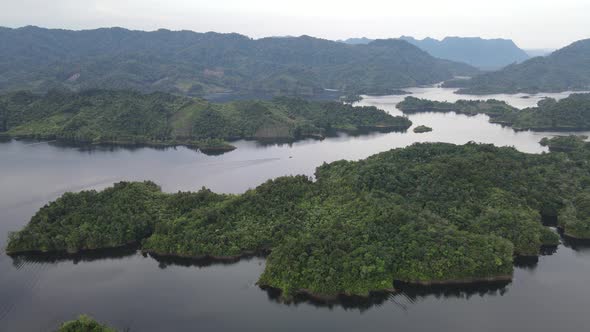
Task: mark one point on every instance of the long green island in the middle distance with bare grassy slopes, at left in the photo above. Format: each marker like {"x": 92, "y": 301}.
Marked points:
{"x": 160, "y": 119}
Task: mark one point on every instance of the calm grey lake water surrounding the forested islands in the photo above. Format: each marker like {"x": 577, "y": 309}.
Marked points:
{"x": 128, "y": 290}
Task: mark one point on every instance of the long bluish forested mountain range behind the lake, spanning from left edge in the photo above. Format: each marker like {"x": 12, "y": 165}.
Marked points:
{"x": 185, "y": 62}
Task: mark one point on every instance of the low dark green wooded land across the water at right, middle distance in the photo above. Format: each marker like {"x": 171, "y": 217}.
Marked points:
{"x": 571, "y": 113}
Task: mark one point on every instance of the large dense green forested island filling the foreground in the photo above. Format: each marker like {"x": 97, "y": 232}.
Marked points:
{"x": 427, "y": 214}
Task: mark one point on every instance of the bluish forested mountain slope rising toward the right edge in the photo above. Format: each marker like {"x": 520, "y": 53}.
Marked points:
{"x": 565, "y": 69}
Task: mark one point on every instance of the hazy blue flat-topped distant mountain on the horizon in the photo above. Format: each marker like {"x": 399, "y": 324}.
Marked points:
{"x": 487, "y": 54}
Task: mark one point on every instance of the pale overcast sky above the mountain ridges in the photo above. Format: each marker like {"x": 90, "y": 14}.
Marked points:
{"x": 530, "y": 23}
